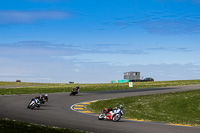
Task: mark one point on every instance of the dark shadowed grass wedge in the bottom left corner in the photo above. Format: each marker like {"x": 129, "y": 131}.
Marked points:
{"x": 9, "y": 126}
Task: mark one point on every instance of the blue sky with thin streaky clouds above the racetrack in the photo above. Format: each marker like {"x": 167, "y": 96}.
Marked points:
{"x": 96, "y": 41}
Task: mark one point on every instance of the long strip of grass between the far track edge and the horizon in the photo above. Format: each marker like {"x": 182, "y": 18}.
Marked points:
{"x": 53, "y": 88}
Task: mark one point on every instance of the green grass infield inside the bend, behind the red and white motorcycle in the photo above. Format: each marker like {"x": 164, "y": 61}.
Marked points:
{"x": 179, "y": 108}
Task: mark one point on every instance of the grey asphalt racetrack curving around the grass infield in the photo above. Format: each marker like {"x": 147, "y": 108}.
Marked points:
{"x": 57, "y": 112}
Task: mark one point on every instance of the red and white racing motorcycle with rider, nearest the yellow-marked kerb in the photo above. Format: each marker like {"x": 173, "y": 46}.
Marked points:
{"x": 111, "y": 114}
